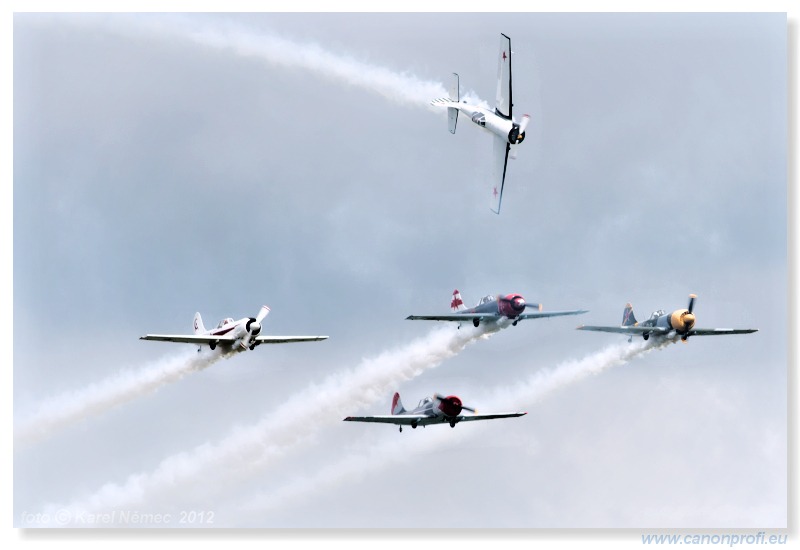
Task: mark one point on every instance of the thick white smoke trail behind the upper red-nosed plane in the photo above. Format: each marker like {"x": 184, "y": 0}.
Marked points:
{"x": 190, "y": 476}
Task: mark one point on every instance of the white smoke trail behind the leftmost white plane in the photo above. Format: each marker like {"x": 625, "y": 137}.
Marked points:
{"x": 71, "y": 407}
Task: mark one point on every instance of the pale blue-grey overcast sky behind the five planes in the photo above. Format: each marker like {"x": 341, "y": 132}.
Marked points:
{"x": 170, "y": 164}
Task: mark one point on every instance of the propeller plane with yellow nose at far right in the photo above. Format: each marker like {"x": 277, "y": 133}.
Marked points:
{"x": 679, "y": 323}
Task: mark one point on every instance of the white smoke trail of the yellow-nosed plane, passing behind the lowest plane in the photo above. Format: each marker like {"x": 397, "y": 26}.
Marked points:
{"x": 393, "y": 450}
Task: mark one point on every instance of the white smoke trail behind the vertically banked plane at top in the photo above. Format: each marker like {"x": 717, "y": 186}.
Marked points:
{"x": 226, "y": 35}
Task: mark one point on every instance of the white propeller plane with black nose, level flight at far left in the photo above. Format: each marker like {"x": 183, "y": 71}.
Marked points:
{"x": 230, "y": 335}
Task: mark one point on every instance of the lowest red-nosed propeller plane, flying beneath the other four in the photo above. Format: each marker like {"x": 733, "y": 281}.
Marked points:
{"x": 439, "y": 409}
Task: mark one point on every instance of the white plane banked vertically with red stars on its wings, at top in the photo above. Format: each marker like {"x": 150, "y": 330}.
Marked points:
{"x": 500, "y": 123}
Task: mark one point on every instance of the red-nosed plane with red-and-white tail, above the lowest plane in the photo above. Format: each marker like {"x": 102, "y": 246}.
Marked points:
{"x": 500, "y": 309}
